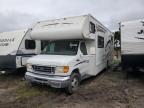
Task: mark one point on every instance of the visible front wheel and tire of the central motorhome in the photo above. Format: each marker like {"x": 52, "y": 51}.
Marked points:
{"x": 74, "y": 84}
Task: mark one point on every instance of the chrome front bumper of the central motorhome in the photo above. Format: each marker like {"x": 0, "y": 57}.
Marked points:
{"x": 53, "y": 81}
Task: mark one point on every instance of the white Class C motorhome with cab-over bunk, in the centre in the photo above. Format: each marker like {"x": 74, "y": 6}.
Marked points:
{"x": 77, "y": 48}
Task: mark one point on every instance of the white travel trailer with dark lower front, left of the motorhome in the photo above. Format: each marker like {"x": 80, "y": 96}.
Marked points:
{"x": 15, "y": 48}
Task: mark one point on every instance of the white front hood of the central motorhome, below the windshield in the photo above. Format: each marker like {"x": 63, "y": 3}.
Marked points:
{"x": 53, "y": 60}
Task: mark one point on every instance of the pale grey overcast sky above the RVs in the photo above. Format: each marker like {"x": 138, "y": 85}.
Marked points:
{"x": 19, "y": 14}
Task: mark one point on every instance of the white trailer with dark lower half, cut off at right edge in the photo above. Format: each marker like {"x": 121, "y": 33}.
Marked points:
{"x": 132, "y": 44}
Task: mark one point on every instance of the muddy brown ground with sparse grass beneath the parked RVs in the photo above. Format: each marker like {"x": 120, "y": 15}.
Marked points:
{"x": 106, "y": 90}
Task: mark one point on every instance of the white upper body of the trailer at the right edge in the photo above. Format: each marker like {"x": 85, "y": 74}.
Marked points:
{"x": 132, "y": 37}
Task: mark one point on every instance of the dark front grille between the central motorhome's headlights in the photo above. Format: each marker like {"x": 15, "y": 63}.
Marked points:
{"x": 43, "y": 69}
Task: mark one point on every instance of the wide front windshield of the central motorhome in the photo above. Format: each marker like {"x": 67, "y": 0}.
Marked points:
{"x": 61, "y": 47}
